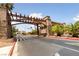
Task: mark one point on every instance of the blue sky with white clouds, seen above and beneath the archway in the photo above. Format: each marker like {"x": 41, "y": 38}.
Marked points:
{"x": 59, "y": 12}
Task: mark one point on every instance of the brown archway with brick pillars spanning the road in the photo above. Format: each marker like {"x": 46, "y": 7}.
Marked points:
{"x": 6, "y": 16}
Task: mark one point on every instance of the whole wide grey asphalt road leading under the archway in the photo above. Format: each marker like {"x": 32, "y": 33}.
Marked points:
{"x": 40, "y": 46}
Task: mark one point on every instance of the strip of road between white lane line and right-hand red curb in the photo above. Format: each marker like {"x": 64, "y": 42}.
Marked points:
{"x": 62, "y": 42}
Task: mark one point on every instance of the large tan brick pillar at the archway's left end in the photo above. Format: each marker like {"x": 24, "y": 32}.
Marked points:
{"x": 5, "y": 24}
